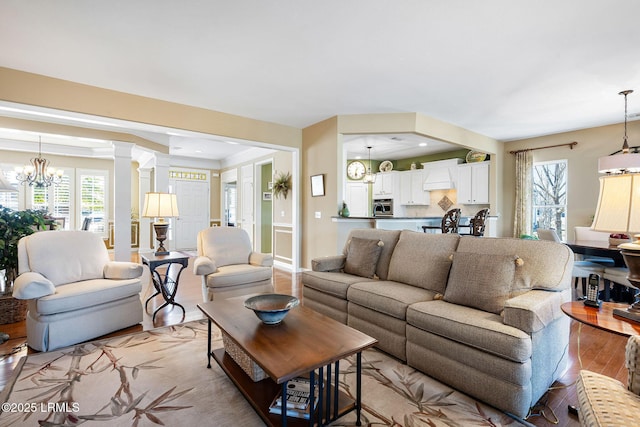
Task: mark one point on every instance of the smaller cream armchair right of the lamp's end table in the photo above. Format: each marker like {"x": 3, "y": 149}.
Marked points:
{"x": 228, "y": 265}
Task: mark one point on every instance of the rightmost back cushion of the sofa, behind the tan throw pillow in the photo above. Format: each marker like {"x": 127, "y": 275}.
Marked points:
{"x": 547, "y": 265}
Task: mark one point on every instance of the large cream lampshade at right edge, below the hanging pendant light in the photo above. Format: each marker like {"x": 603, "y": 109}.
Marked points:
{"x": 618, "y": 208}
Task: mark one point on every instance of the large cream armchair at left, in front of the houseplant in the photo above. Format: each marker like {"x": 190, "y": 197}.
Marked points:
{"x": 75, "y": 291}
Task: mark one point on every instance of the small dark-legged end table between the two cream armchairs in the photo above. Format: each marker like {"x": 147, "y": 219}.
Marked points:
{"x": 166, "y": 281}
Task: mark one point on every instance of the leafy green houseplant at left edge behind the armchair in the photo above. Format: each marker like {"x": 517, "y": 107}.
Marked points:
{"x": 13, "y": 226}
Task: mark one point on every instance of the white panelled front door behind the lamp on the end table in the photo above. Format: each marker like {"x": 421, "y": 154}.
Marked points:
{"x": 193, "y": 206}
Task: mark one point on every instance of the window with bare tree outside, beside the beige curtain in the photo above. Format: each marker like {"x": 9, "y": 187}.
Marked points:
{"x": 549, "y": 194}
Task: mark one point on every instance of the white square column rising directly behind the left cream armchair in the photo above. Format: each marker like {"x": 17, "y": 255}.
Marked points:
{"x": 122, "y": 200}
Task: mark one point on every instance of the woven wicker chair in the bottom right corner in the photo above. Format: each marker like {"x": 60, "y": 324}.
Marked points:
{"x": 604, "y": 401}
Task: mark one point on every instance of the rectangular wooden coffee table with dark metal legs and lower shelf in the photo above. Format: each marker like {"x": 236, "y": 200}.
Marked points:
{"x": 305, "y": 342}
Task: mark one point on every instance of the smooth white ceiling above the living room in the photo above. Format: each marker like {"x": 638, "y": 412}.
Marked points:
{"x": 505, "y": 69}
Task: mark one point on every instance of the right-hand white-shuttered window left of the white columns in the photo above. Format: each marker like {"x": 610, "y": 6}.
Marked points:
{"x": 92, "y": 204}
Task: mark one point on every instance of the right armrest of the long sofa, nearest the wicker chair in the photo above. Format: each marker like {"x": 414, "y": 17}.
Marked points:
{"x": 534, "y": 310}
